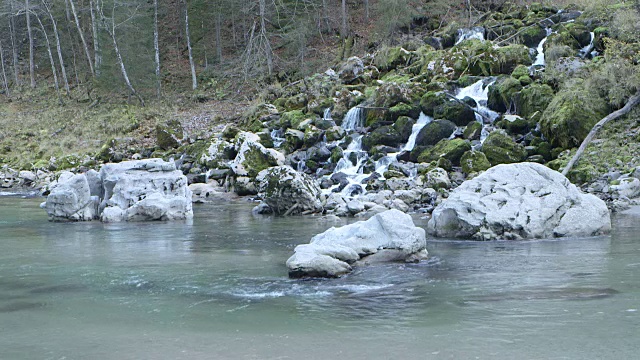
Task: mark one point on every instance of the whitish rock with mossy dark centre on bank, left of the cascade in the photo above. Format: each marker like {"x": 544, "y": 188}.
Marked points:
{"x": 253, "y": 157}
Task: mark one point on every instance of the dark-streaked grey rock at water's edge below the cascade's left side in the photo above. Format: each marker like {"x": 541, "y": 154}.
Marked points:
{"x": 288, "y": 191}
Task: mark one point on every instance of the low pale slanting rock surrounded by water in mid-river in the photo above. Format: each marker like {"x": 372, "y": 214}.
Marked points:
{"x": 332, "y": 253}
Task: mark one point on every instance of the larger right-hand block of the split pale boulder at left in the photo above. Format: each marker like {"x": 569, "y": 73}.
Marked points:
{"x": 144, "y": 190}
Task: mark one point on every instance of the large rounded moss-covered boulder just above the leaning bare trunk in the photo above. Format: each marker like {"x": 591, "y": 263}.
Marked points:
{"x": 571, "y": 115}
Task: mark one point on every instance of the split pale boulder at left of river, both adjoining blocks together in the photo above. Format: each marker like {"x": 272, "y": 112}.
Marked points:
{"x": 128, "y": 191}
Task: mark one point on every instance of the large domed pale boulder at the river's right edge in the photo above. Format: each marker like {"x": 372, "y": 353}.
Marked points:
{"x": 519, "y": 201}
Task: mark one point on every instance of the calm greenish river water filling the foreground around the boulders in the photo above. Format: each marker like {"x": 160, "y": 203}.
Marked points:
{"x": 217, "y": 288}
